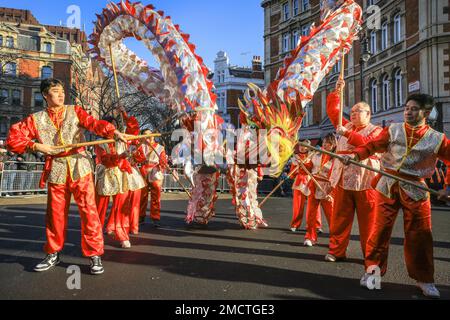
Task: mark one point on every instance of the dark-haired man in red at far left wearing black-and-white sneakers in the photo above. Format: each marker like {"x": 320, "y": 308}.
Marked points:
{"x": 67, "y": 172}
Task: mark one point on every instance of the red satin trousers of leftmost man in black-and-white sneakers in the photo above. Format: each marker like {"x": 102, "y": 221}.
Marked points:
{"x": 58, "y": 204}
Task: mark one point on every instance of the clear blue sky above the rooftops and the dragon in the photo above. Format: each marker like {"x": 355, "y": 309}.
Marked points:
{"x": 234, "y": 26}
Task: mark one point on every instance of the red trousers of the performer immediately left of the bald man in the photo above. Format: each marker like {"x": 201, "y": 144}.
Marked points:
{"x": 311, "y": 214}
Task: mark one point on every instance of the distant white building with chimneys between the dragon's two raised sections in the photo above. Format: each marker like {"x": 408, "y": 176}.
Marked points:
{"x": 231, "y": 82}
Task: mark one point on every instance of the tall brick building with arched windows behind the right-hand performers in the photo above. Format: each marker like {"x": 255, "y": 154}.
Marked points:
{"x": 410, "y": 53}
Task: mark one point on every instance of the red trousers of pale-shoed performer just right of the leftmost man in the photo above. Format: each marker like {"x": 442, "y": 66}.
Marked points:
{"x": 119, "y": 219}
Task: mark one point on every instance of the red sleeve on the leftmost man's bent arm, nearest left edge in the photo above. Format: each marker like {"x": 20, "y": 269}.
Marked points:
{"x": 21, "y": 136}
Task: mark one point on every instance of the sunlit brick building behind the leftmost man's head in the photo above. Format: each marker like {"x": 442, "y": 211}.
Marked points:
{"x": 30, "y": 52}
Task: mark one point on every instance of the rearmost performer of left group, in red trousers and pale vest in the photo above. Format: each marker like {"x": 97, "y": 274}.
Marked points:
{"x": 152, "y": 170}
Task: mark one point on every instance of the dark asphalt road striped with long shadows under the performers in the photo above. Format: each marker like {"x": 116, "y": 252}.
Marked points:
{"x": 221, "y": 261}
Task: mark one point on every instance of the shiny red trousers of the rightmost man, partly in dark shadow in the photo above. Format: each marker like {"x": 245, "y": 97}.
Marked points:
{"x": 418, "y": 244}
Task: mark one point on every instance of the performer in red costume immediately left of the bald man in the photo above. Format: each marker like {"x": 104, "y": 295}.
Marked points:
{"x": 320, "y": 166}
